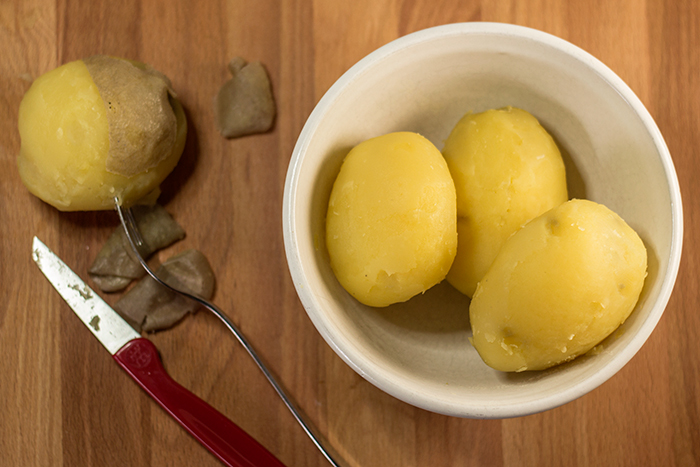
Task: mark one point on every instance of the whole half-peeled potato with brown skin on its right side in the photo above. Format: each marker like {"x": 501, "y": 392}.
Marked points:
{"x": 98, "y": 128}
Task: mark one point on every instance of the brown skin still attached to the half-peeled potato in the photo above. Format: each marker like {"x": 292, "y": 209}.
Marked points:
{"x": 142, "y": 123}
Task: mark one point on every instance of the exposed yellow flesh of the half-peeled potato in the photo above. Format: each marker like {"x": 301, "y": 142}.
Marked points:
{"x": 65, "y": 140}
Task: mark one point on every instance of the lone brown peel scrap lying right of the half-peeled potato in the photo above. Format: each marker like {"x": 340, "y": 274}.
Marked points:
{"x": 244, "y": 105}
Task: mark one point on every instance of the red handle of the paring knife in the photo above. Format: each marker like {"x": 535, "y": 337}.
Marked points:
{"x": 226, "y": 440}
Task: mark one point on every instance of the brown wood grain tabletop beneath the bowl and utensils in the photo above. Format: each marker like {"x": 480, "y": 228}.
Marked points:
{"x": 63, "y": 401}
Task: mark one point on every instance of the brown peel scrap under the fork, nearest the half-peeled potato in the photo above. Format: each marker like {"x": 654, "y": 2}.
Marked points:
{"x": 115, "y": 266}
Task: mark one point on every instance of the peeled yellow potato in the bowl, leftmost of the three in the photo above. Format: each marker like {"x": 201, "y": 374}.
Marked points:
{"x": 391, "y": 223}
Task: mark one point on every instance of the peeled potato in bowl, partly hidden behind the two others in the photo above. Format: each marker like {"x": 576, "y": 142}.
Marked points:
{"x": 507, "y": 170}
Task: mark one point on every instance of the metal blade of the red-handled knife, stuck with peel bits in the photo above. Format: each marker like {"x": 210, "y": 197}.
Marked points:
{"x": 105, "y": 323}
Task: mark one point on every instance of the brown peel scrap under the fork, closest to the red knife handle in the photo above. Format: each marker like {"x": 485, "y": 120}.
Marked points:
{"x": 150, "y": 307}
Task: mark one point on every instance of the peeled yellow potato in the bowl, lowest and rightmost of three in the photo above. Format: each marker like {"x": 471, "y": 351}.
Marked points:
{"x": 557, "y": 288}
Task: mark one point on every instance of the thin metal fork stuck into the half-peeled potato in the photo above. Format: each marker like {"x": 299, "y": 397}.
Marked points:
{"x": 133, "y": 235}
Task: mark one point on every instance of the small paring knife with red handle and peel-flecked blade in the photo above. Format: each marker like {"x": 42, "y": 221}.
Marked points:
{"x": 139, "y": 357}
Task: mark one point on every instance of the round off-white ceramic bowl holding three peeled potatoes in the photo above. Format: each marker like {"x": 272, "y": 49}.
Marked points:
{"x": 424, "y": 82}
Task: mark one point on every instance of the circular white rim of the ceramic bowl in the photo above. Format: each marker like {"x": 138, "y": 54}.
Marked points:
{"x": 372, "y": 372}
